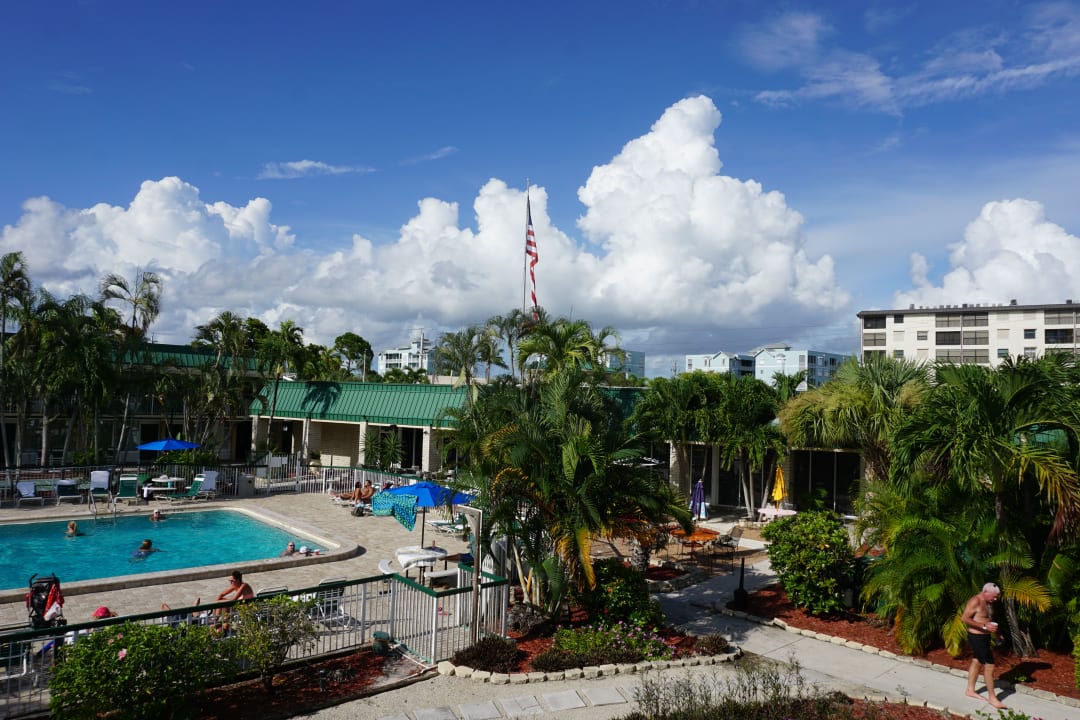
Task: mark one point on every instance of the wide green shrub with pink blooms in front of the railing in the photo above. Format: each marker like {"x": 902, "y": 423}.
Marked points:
{"x": 133, "y": 671}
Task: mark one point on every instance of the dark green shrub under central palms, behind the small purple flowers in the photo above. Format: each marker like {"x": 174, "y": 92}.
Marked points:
{"x": 622, "y": 594}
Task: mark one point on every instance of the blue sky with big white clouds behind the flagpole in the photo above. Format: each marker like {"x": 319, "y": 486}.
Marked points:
{"x": 707, "y": 176}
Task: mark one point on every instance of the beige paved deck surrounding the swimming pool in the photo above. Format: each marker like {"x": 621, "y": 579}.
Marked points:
{"x": 372, "y": 540}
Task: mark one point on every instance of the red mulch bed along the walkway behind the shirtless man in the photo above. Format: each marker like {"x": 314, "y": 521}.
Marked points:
{"x": 1052, "y": 672}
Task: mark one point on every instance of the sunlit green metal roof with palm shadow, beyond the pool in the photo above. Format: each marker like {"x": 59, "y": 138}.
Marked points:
{"x": 386, "y": 404}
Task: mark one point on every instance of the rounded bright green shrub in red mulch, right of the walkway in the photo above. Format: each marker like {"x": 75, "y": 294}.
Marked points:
{"x": 813, "y": 558}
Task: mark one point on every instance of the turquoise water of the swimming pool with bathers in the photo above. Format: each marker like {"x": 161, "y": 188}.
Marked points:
{"x": 107, "y": 547}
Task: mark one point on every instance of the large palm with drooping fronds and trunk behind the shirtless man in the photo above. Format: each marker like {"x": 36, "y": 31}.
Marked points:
{"x": 990, "y": 431}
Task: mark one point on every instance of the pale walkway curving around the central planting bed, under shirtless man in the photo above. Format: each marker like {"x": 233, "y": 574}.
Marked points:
{"x": 855, "y": 672}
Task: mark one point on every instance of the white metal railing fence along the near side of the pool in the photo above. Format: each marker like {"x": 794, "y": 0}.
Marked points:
{"x": 429, "y": 626}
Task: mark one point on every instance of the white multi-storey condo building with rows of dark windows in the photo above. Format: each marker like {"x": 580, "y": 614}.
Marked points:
{"x": 970, "y": 333}
